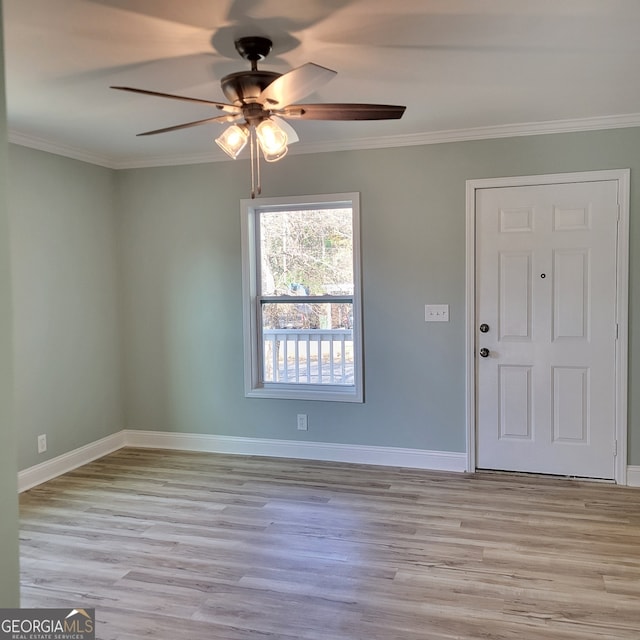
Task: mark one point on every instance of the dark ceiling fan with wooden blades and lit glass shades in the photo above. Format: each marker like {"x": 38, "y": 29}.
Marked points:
{"x": 260, "y": 102}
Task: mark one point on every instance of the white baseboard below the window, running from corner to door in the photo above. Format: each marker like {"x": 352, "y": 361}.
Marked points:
{"x": 330, "y": 452}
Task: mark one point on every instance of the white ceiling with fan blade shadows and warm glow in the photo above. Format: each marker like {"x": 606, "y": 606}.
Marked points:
{"x": 463, "y": 68}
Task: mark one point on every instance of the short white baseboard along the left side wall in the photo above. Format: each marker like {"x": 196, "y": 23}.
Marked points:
{"x": 55, "y": 467}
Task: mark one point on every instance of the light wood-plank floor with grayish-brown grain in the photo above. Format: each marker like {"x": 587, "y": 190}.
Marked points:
{"x": 172, "y": 546}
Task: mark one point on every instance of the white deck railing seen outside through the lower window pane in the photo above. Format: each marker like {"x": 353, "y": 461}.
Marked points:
{"x": 312, "y": 356}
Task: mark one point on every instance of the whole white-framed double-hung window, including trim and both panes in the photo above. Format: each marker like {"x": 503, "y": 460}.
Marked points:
{"x": 301, "y": 286}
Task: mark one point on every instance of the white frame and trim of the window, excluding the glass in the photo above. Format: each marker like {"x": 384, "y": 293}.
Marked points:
{"x": 254, "y": 385}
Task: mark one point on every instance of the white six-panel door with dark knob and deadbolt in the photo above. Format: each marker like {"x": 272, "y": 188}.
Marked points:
{"x": 546, "y": 359}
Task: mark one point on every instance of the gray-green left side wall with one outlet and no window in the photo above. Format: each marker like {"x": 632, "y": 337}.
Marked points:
{"x": 65, "y": 274}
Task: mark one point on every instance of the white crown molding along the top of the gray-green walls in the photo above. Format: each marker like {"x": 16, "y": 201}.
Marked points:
{"x": 434, "y": 137}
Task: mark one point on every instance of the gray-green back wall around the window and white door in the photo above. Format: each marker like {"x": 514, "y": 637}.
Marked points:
{"x": 182, "y": 292}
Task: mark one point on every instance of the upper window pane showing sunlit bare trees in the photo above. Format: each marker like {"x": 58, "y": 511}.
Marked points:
{"x": 306, "y": 252}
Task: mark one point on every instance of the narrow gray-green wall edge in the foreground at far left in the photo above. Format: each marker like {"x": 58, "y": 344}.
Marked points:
{"x": 9, "y": 592}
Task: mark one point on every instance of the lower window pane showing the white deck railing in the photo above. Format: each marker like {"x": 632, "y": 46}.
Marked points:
{"x": 308, "y": 343}
